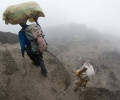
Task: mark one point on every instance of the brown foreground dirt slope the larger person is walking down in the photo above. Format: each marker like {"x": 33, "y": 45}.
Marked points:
{"x": 21, "y": 80}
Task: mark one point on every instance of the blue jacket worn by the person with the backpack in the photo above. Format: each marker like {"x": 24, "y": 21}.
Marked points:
{"x": 24, "y": 42}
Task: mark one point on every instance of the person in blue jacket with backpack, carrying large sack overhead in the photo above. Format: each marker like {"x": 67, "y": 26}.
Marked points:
{"x": 31, "y": 37}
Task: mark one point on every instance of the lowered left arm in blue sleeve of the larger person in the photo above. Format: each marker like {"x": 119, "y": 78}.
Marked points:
{"x": 21, "y": 36}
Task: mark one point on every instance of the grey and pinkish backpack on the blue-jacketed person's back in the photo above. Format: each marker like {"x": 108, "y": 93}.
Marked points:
{"x": 37, "y": 41}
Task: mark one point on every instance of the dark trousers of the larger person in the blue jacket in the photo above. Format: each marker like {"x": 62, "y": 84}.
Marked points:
{"x": 38, "y": 60}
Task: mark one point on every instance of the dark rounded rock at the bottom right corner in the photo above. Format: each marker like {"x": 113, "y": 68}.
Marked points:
{"x": 98, "y": 94}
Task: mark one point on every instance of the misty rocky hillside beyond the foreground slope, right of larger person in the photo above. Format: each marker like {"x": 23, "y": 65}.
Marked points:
{"x": 76, "y": 44}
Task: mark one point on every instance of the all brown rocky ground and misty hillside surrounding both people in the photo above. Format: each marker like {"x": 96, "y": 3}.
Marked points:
{"x": 69, "y": 46}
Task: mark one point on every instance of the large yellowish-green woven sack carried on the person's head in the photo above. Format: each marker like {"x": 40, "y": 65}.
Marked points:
{"x": 18, "y": 13}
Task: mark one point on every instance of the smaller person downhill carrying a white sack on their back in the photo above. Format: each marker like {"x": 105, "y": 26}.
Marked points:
{"x": 84, "y": 74}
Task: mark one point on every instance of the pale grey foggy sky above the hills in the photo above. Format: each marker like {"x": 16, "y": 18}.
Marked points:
{"x": 101, "y": 15}
